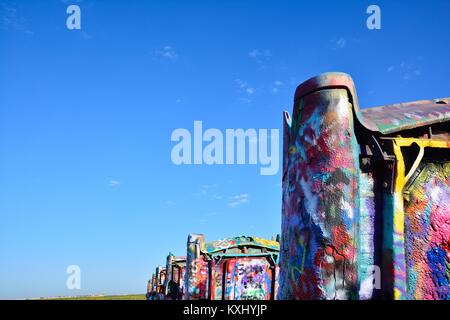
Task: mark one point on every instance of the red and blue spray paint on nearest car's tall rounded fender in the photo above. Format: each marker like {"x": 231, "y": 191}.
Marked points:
{"x": 318, "y": 254}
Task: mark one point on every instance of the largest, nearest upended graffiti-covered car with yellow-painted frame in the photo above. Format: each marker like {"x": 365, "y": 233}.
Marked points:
{"x": 366, "y": 196}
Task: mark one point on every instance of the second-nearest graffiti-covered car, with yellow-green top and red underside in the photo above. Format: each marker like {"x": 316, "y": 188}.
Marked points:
{"x": 239, "y": 268}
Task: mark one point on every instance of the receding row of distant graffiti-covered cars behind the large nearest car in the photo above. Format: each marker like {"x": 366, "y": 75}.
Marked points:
{"x": 238, "y": 268}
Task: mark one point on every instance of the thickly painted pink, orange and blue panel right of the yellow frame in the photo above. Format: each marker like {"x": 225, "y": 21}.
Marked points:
{"x": 428, "y": 233}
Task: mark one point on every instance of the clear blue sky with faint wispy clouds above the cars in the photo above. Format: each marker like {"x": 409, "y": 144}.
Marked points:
{"x": 86, "y": 118}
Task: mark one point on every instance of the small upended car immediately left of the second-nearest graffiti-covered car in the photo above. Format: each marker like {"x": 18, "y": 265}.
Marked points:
{"x": 174, "y": 281}
